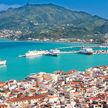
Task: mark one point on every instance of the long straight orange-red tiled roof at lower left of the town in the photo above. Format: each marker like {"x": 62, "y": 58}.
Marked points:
{"x": 29, "y": 97}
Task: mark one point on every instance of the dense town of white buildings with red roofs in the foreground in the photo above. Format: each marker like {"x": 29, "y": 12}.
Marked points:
{"x": 60, "y": 89}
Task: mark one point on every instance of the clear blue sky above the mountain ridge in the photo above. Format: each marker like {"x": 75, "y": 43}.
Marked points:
{"x": 94, "y": 7}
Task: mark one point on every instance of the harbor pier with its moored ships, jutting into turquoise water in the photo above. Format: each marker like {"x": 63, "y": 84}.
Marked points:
{"x": 55, "y": 52}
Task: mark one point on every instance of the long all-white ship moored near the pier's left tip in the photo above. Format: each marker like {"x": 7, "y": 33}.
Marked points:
{"x": 34, "y": 53}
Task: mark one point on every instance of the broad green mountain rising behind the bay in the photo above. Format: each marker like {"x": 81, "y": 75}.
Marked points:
{"x": 51, "y": 21}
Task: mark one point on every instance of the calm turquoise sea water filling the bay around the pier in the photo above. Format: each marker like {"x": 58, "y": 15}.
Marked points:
{"x": 18, "y": 68}
